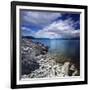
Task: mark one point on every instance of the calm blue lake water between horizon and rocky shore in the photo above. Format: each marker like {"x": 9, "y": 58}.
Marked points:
{"x": 69, "y": 48}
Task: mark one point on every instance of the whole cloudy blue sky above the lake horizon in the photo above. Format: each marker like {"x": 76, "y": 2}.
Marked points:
{"x": 43, "y": 24}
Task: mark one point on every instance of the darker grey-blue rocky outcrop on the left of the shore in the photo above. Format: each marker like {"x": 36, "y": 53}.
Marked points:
{"x": 29, "y": 52}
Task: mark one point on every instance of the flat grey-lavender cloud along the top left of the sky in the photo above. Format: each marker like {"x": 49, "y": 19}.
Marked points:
{"x": 40, "y": 18}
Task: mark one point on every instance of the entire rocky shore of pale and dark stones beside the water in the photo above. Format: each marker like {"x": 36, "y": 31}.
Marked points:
{"x": 37, "y": 62}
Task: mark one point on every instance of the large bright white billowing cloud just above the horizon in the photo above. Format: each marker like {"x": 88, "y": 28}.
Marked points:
{"x": 59, "y": 29}
